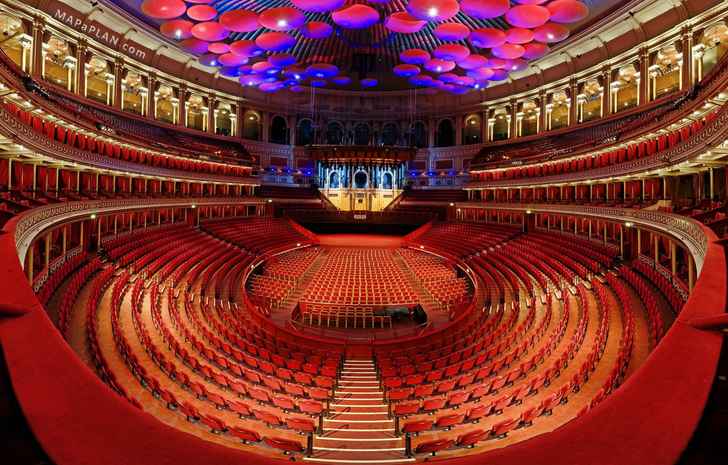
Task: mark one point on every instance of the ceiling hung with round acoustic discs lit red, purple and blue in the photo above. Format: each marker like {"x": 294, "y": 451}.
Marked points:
{"x": 442, "y": 45}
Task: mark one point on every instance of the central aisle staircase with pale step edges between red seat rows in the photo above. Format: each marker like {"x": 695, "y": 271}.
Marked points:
{"x": 358, "y": 428}
